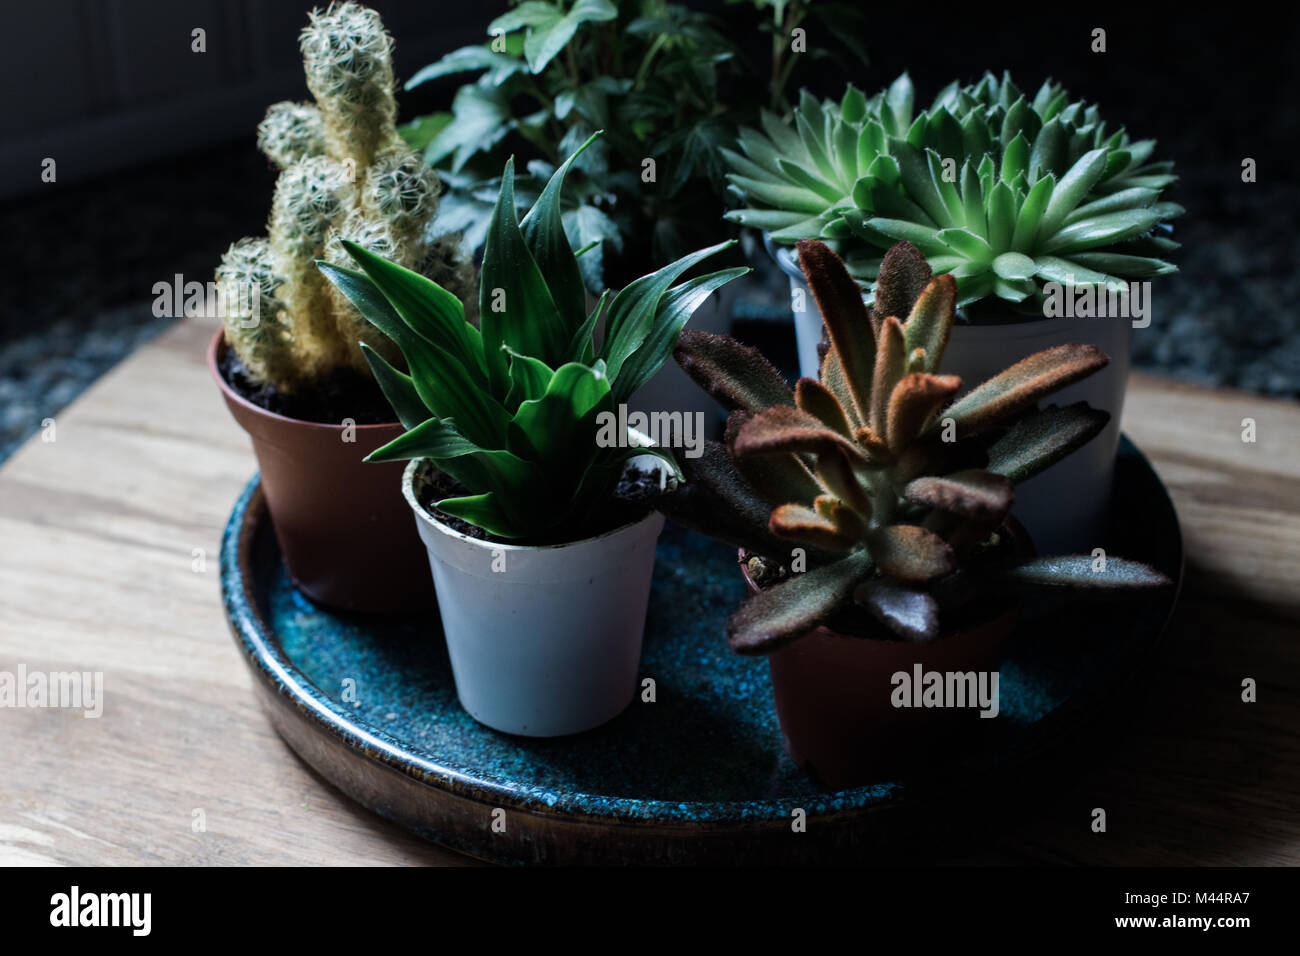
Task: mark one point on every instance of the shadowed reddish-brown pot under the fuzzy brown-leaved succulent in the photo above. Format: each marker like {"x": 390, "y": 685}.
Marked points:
{"x": 835, "y": 695}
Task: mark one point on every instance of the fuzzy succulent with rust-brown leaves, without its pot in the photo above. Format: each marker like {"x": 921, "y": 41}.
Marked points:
{"x": 898, "y": 495}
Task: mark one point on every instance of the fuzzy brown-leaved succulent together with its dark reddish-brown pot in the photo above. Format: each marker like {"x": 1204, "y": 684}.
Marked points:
{"x": 874, "y": 511}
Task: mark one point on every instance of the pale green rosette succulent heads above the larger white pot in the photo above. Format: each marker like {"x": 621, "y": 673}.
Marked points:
{"x": 1000, "y": 191}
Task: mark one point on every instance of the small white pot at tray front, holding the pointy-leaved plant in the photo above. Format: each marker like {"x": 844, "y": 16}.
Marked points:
{"x": 544, "y": 642}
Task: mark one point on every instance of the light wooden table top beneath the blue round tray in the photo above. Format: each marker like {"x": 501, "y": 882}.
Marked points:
{"x": 98, "y": 551}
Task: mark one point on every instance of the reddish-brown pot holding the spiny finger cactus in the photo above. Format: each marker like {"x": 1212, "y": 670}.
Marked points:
{"x": 344, "y": 529}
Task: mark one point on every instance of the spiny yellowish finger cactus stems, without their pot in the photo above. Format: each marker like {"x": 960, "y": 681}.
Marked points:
{"x": 345, "y": 176}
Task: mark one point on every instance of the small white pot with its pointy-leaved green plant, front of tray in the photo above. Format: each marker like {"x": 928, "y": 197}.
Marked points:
{"x": 543, "y": 570}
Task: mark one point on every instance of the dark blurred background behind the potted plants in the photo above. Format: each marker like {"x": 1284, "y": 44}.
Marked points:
{"x": 159, "y": 172}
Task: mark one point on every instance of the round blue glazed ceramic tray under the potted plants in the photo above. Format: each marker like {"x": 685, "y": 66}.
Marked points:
{"x": 699, "y": 776}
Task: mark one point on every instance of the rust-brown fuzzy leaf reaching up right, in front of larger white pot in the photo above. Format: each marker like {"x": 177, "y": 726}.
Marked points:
{"x": 1025, "y": 384}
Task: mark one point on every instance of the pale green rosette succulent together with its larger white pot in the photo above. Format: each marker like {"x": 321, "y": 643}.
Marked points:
{"x": 1028, "y": 202}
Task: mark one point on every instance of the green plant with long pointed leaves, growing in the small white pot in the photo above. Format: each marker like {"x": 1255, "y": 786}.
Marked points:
{"x": 512, "y": 409}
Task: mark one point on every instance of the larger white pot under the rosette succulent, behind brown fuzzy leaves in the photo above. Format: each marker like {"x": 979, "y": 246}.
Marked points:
{"x": 1065, "y": 508}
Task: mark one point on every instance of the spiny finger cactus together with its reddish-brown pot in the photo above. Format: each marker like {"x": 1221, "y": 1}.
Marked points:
{"x": 289, "y": 360}
